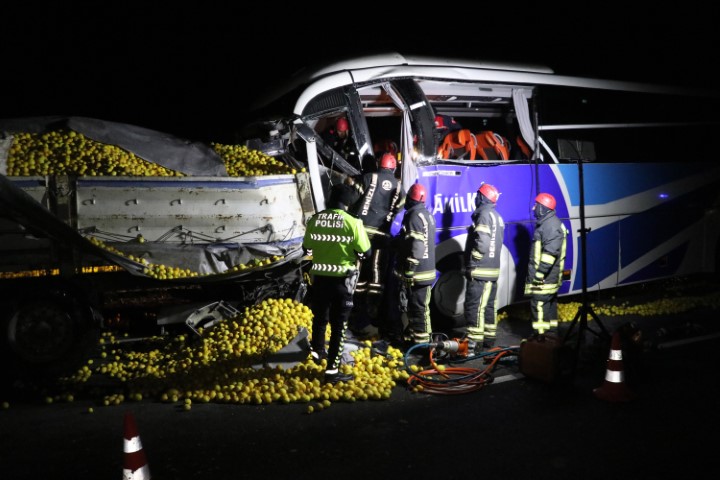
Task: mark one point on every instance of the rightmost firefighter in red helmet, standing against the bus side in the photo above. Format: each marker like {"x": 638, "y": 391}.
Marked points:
{"x": 547, "y": 257}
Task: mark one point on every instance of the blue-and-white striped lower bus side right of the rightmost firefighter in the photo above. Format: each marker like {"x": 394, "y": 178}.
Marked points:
{"x": 643, "y": 221}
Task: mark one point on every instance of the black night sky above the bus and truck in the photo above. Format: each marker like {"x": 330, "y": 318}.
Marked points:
{"x": 192, "y": 70}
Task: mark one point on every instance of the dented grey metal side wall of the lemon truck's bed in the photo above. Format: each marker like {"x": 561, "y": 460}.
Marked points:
{"x": 205, "y": 225}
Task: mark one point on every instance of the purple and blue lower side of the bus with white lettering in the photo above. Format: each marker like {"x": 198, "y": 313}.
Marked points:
{"x": 643, "y": 221}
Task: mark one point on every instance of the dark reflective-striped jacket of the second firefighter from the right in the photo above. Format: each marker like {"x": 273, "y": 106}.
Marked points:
{"x": 484, "y": 243}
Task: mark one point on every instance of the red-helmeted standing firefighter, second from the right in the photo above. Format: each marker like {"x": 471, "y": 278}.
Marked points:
{"x": 482, "y": 269}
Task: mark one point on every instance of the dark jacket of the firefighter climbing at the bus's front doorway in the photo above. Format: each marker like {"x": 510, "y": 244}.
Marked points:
{"x": 381, "y": 197}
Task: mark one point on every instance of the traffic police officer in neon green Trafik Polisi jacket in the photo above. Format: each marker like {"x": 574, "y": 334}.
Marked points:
{"x": 336, "y": 240}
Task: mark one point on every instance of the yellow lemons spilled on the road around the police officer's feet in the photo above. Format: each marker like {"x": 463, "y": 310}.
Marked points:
{"x": 227, "y": 363}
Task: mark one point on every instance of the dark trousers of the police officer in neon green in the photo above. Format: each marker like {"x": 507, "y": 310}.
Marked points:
{"x": 332, "y": 302}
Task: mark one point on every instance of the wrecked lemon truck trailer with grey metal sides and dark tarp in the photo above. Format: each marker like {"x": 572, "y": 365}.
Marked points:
{"x": 140, "y": 254}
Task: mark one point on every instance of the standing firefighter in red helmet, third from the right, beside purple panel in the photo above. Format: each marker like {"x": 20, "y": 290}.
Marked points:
{"x": 415, "y": 264}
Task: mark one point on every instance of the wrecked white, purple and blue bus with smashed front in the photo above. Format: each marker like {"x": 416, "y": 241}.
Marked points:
{"x": 646, "y": 155}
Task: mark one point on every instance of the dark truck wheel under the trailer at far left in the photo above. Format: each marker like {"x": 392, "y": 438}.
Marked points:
{"x": 46, "y": 338}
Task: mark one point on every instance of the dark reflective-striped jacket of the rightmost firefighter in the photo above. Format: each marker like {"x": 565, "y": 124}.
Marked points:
{"x": 547, "y": 256}
